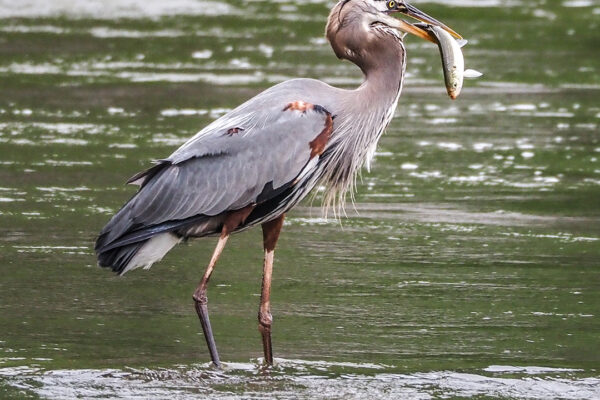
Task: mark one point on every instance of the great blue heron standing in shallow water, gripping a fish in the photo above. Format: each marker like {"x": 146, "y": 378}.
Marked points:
{"x": 256, "y": 162}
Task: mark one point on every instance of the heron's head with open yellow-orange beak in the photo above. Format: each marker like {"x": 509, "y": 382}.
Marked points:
{"x": 354, "y": 25}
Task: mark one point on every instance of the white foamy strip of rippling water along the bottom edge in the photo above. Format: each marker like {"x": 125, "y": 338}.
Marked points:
{"x": 297, "y": 379}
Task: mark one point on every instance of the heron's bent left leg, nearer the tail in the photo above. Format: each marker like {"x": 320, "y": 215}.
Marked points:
{"x": 201, "y": 300}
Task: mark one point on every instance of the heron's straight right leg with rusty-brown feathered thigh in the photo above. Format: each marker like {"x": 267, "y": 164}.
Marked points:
{"x": 271, "y": 231}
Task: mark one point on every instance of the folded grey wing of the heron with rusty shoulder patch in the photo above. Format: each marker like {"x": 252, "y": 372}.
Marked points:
{"x": 238, "y": 160}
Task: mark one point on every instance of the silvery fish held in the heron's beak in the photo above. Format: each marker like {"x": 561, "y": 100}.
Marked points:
{"x": 453, "y": 63}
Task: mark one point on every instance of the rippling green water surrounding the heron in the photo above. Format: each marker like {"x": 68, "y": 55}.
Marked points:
{"x": 468, "y": 267}
